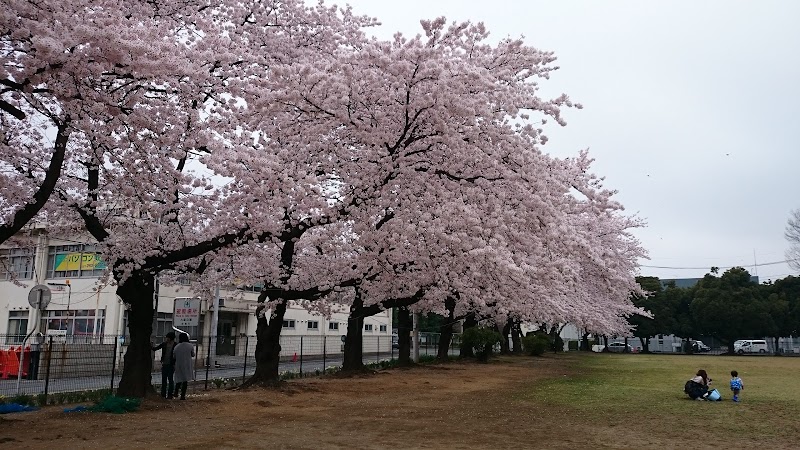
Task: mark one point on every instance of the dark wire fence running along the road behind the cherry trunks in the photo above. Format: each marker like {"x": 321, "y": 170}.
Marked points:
{"x": 70, "y": 364}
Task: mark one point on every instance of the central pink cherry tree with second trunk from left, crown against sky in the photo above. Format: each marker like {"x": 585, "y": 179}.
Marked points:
{"x": 420, "y": 122}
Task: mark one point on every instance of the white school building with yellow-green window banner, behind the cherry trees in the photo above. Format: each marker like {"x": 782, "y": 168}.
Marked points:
{"x": 85, "y": 308}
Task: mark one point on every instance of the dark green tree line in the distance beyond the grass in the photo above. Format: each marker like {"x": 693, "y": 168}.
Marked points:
{"x": 727, "y": 307}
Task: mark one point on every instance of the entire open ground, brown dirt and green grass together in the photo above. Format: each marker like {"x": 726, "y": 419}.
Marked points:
{"x": 569, "y": 401}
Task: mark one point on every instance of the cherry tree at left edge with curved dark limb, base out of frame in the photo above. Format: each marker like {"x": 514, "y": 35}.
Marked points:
{"x": 54, "y": 77}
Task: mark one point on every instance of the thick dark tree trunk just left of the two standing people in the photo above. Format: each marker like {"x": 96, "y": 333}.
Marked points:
{"x": 137, "y": 291}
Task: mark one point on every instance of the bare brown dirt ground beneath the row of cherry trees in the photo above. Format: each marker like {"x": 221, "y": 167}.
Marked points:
{"x": 450, "y": 406}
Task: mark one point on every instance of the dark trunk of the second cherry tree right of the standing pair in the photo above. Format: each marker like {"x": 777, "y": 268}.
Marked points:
{"x": 268, "y": 347}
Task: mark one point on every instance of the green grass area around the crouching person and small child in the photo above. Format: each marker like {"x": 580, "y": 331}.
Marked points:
{"x": 645, "y": 393}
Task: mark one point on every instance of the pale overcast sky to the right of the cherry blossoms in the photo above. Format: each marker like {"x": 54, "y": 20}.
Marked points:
{"x": 690, "y": 110}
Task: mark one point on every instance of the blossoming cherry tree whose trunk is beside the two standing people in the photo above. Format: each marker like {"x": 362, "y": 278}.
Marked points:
{"x": 154, "y": 181}
